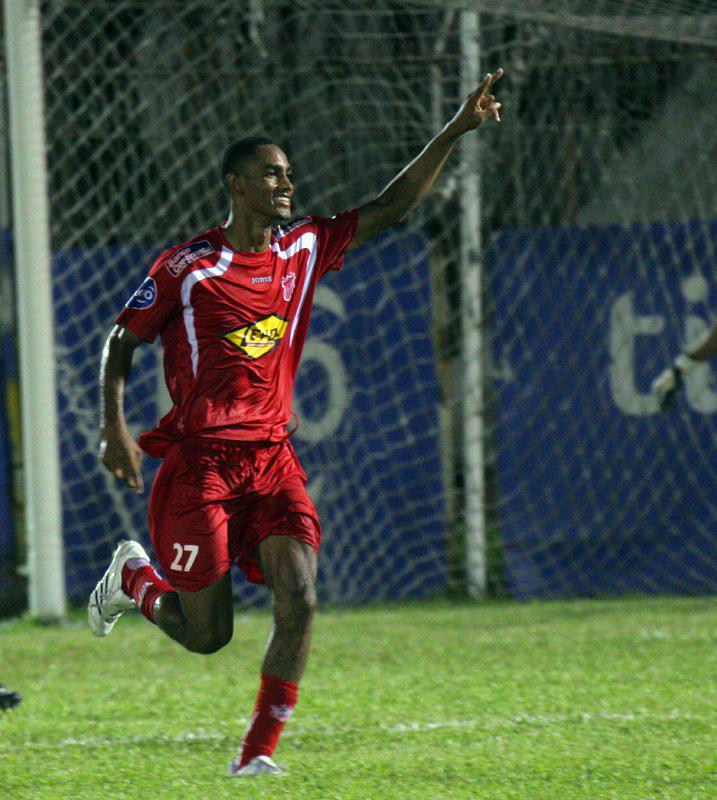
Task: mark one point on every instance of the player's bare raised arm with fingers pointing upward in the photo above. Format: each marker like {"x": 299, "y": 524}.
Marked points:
{"x": 415, "y": 179}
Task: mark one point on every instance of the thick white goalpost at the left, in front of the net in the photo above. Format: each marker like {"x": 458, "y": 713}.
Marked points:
{"x": 35, "y": 310}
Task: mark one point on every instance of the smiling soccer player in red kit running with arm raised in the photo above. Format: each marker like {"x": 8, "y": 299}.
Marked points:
{"x": 232, "y": 308}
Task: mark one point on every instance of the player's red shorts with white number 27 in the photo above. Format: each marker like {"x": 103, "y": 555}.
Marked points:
{"x": 213, "y": 501}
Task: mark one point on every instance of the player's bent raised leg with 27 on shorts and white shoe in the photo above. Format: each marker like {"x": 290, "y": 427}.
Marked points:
{"x": 188, "y": 525}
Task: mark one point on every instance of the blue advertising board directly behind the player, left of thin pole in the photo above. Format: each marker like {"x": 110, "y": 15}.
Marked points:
{"x": 366, "y": 397}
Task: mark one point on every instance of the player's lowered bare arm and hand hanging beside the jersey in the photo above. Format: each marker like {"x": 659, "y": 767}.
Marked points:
{"x": 118, "y": 450}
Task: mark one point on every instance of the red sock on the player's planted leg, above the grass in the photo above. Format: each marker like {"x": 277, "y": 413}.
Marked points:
{"x": 274, "y": 705}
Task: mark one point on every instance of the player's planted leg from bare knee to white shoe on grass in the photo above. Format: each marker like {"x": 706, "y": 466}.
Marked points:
{"x": 289, "y": 569}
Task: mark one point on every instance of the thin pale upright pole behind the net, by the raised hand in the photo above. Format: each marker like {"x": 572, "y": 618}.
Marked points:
{"x": 471, "y": 268}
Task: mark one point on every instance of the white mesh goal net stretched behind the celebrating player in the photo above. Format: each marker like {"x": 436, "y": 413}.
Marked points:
{"x": 596, "y": 220}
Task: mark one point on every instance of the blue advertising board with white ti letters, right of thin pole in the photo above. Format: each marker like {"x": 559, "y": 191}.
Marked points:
{"x": 600, "y": 493}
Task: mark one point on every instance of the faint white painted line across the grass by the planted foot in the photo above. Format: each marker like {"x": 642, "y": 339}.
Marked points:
{"x": 484, "y": 723}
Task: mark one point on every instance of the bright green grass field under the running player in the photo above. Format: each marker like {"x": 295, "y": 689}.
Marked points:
{"x": 594, "y": 699}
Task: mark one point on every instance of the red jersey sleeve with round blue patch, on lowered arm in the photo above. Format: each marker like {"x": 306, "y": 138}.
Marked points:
{"x": 154, "y": 303}
